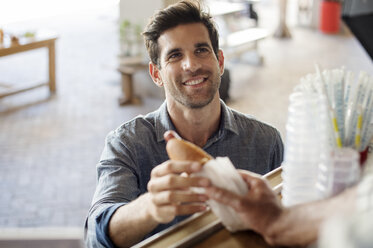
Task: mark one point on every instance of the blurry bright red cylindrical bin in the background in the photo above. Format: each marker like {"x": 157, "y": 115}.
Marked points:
{"x": 330, "y": 15}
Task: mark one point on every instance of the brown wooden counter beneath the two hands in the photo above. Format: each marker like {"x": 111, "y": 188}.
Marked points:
{"x": 205, "y": 230}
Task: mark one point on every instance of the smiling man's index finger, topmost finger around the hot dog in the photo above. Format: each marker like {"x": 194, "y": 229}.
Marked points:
{"x": 175, "y": 167}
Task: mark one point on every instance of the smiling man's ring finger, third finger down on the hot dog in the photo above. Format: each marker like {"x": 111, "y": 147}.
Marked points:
{"x": 177, "y": 197}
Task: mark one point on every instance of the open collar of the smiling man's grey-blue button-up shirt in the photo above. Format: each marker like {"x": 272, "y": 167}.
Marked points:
{"x": 163, "y": 121}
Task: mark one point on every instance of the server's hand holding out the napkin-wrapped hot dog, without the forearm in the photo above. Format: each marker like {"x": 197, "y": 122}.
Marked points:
{"x": 258, "y": 208}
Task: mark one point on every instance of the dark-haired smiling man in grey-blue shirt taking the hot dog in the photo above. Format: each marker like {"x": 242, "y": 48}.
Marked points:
{"x": 139, "y": 190}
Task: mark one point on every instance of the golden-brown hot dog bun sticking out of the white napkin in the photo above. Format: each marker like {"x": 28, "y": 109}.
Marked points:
{"x": 179, "y": 149}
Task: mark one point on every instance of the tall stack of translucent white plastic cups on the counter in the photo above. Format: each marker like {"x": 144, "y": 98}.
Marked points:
{"x": 306, "y": 146}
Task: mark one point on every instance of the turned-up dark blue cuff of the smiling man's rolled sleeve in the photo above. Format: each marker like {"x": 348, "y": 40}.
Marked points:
{"x": 102, "y": 225}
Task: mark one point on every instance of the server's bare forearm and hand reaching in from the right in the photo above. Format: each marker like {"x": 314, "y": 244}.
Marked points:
{"x": 262, "y": 212}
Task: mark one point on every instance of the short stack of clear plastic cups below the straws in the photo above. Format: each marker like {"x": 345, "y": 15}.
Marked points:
{"x": 341, "y": 172}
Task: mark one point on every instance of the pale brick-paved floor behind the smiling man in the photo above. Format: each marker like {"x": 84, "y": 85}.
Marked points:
{"x": 49, "y": 146}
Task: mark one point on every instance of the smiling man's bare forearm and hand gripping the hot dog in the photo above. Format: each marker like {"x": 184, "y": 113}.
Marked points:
{"x": 168, "y": 197}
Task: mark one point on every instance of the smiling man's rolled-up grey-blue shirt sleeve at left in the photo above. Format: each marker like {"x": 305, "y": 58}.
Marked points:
{"x": 117, "y": 184}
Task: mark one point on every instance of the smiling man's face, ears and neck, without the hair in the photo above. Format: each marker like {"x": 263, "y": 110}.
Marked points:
{"x": 190, "y": 71}
